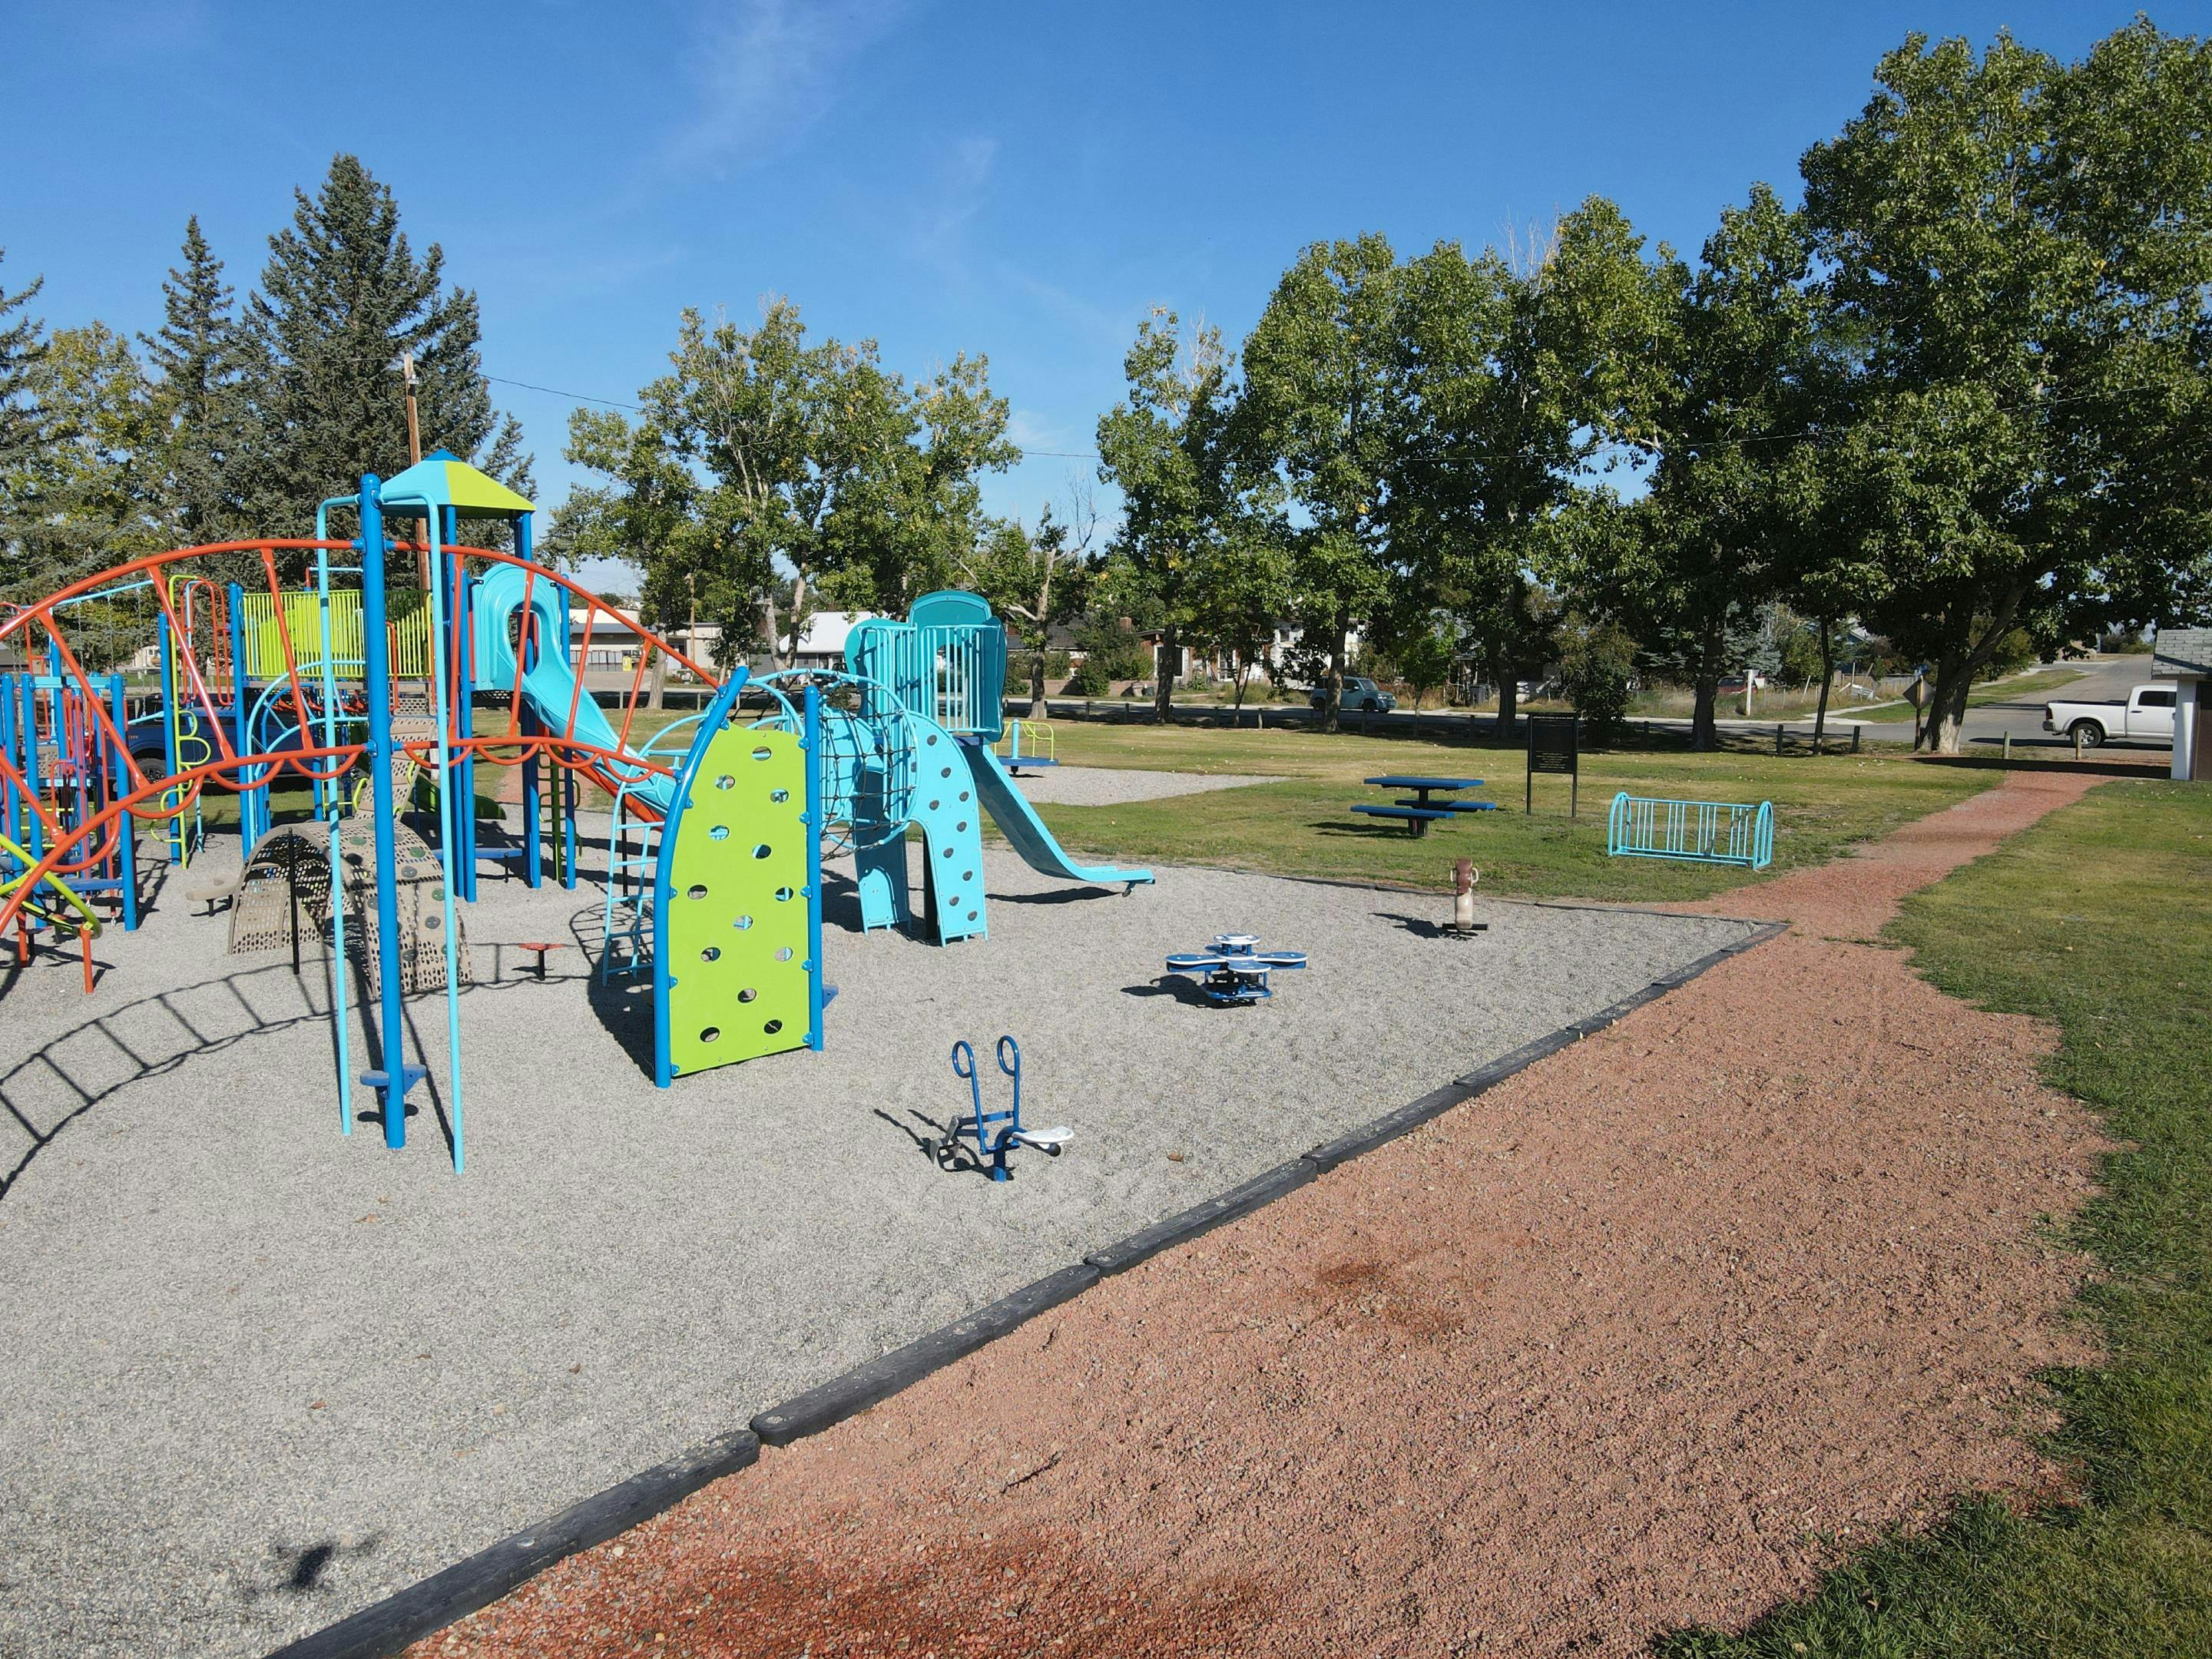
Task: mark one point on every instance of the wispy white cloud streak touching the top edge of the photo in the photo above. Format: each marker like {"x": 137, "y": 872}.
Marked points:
{"x": 769, "y": 70}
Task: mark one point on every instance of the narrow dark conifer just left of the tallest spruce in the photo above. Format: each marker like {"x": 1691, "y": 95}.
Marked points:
{"x": 200, "y": 355}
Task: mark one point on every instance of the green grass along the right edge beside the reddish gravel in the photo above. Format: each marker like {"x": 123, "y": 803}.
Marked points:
{"x": 2100, "y": 921}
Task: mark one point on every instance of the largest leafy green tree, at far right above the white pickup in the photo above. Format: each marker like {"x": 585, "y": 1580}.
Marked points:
{"x": 2025, "y": 249}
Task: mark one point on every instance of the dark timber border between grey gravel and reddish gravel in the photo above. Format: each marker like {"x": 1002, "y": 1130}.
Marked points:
{"x": 408, "y": 1616}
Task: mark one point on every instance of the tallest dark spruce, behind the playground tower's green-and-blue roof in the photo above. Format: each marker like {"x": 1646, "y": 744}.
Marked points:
{"x": 342, "y": 300}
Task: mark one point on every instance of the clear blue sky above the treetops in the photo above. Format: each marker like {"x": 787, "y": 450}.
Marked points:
{"x": 1019, "y": 180}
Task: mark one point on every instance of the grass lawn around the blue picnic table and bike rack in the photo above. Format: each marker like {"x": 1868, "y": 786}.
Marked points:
{"x": 1304, "y": 826}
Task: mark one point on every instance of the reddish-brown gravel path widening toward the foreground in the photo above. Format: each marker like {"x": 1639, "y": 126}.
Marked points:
{"x": 1600, "y": 1355}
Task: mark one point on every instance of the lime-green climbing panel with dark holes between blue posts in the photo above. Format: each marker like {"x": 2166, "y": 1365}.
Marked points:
{"x": 733, "y": 930}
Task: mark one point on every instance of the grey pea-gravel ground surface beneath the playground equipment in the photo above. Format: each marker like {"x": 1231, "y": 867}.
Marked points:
{"x": 262, "y": 1375}
